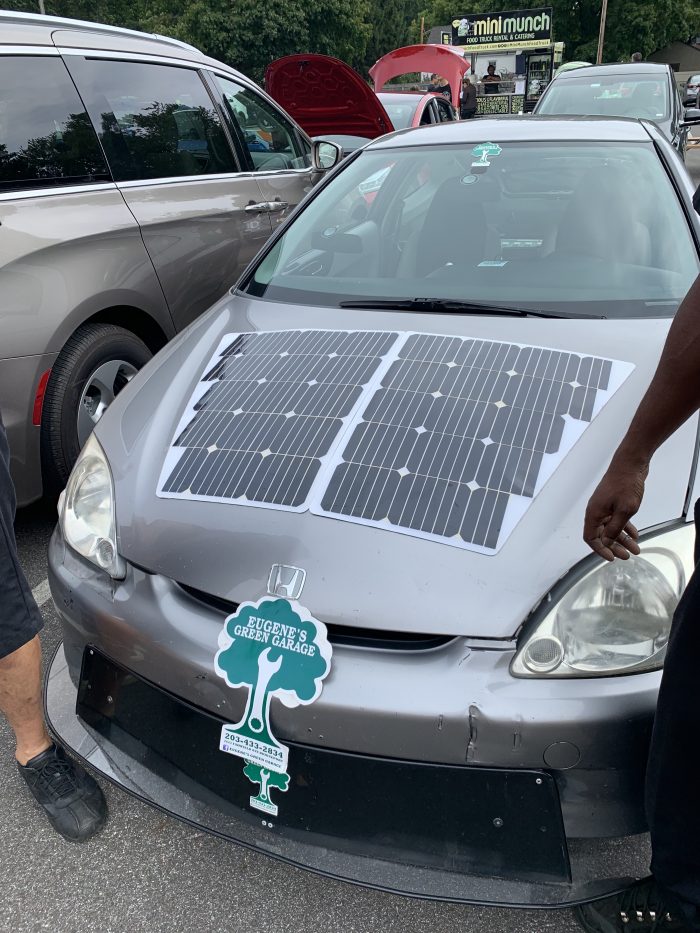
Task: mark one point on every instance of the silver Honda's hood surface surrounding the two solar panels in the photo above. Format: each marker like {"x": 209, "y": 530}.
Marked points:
{"x": 376, "y": 577}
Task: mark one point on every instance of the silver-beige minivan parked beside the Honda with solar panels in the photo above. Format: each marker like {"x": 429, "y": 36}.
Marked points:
{"x": 137, "y": 180}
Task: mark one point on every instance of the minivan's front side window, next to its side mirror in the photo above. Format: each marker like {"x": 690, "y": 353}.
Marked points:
{"x": 271, "y": 141}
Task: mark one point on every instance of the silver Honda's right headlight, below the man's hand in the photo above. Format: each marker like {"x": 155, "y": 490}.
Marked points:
{"x": 613, "y": 619}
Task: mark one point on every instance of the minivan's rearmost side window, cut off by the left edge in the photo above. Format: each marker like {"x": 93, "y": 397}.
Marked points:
{"x": 46, "y": 137}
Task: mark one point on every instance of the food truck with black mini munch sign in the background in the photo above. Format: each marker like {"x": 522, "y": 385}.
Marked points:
{"x": 525, "y": 33}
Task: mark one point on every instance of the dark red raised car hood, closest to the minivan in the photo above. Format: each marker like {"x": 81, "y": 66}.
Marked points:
{"x": 325, "y": 96}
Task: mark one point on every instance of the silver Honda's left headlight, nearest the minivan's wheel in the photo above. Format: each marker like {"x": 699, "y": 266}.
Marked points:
{"x": 87, "y": 511}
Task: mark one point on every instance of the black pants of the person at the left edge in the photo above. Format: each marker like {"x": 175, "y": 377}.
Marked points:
{"x": 20, "y": 618}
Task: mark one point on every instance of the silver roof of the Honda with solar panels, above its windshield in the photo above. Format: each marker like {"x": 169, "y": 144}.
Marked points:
{"x": 519, "y": 129}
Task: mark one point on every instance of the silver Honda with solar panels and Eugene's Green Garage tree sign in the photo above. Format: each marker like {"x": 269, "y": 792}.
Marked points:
{"x": 320, "y": 566}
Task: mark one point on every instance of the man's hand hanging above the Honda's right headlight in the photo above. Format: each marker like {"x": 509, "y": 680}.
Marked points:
{"x": 607, "y": 528}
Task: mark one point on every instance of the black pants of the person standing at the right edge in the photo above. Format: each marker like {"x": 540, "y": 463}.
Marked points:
{"x": 673, "y": 775}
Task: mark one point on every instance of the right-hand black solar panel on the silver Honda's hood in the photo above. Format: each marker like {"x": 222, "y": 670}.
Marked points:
{"x": 456, "y": 429}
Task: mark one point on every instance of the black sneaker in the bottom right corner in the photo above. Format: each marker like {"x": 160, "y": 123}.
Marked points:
{"x": 642, "y": 908}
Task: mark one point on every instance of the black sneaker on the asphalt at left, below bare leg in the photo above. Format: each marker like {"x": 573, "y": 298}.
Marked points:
{"x": 70, "y": 798}
